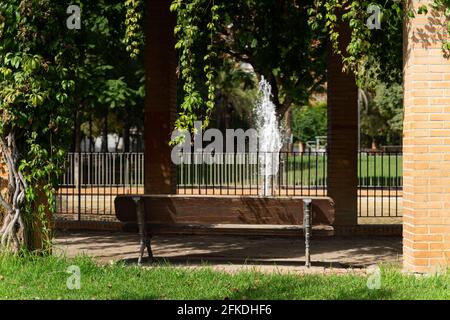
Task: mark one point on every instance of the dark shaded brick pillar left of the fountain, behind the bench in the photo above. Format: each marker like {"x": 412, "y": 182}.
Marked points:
{"x": 160, "y": 104}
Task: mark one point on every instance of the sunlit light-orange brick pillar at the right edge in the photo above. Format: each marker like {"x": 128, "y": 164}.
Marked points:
{"x": 426, "y": 144}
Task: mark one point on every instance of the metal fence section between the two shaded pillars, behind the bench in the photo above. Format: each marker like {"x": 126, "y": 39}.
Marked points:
{"x": 263, "y": 173}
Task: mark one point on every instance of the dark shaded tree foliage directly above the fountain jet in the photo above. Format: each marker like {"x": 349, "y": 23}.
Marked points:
{"x": 275, "y": 38}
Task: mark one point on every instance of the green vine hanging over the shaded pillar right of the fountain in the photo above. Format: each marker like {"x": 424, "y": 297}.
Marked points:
{"x": 363, "y": 42}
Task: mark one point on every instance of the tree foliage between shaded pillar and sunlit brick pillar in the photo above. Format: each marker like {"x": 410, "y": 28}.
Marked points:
{"x": 380, "y": 82}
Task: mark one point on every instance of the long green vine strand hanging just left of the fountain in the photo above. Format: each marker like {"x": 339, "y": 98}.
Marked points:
{"x": 196, "y": 69}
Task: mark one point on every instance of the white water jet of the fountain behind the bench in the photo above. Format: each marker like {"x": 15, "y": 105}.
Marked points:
{"x": 269, "y": 137}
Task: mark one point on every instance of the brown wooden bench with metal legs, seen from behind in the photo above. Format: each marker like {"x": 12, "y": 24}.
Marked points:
{"x": 246, "y": 215}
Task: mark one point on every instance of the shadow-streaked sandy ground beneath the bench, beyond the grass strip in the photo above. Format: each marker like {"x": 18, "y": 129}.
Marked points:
{"x": 233, "y": 253}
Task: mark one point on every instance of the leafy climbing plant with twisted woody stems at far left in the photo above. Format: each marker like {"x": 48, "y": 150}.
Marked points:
{"x": 48, "y": 75}
